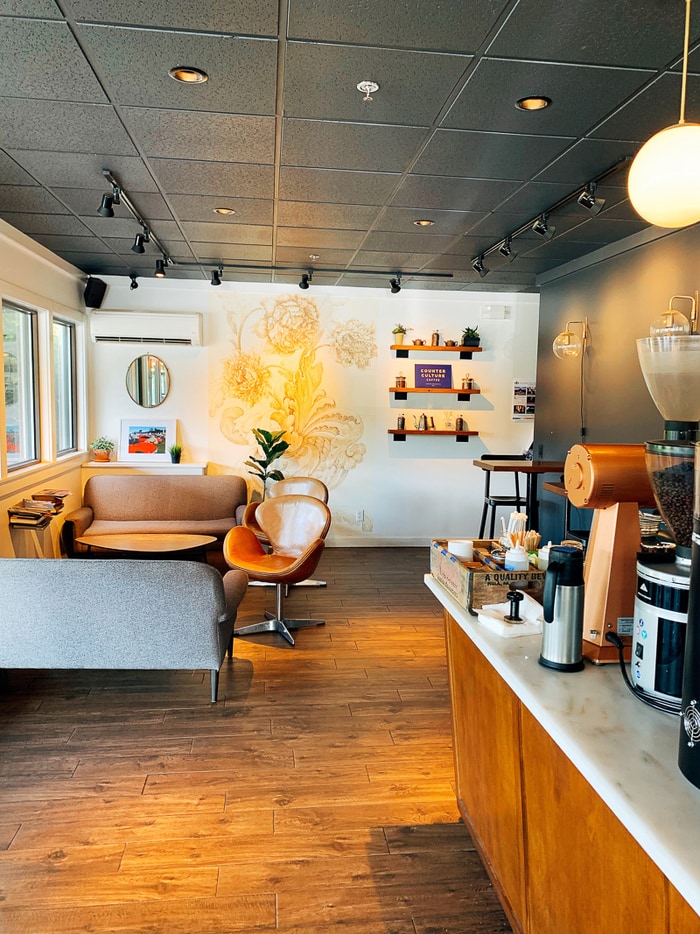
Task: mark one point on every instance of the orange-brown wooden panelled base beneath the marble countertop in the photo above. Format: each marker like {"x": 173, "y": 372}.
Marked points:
{"x": 559, "y": 858}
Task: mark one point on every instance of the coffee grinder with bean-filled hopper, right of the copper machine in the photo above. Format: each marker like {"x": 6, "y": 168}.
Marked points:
{"x": 671, "y": 368}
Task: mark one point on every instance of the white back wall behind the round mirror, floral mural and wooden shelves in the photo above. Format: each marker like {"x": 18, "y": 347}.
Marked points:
{"x": 409, "y": 491}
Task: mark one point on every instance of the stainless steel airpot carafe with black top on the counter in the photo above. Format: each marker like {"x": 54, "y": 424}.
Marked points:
{"x": 562, "y": 631}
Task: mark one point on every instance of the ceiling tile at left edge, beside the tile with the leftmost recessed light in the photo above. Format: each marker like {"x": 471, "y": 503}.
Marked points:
{"x": 42, "y": 60}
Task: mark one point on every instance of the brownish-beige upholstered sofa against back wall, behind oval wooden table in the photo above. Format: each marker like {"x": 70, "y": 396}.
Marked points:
{"x": 200, "y": 505}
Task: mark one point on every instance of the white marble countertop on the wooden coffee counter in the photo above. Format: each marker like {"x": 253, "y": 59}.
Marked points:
{"x": 627, "y": 751}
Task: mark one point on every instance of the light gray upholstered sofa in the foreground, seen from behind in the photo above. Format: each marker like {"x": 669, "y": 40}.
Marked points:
{"x": 117, "y": 614}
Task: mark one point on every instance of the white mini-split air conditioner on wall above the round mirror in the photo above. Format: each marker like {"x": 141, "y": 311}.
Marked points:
{"x": 135, "y": 327}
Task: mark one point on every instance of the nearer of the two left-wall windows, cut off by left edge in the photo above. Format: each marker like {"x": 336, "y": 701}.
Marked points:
{"x": 19, "y": 330}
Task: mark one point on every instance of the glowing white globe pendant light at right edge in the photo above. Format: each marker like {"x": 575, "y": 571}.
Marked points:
{"x": 664, "y": 179}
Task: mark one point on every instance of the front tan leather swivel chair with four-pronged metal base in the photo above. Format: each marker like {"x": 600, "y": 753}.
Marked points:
{"x": 296, "y": 527}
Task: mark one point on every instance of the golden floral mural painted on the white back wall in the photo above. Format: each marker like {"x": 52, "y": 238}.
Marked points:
{"x": 279, "y": 374}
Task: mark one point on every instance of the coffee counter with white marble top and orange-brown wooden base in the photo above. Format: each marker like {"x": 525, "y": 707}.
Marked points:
{"x": 571, "y": 789}
